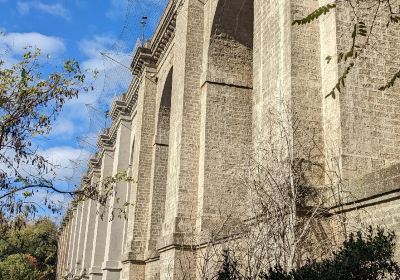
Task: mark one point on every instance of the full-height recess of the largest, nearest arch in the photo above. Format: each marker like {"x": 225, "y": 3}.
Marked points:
{"x": 226, "y": 108}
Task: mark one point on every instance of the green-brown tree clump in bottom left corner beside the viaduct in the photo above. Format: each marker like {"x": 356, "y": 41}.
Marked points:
{"x": 28, "y": 252}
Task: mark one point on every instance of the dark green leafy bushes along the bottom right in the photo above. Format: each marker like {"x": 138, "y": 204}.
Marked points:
{"x": 362, "y": 257}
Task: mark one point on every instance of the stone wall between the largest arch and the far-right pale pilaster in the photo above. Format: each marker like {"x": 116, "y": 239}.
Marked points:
{"x": 287, "y": 80}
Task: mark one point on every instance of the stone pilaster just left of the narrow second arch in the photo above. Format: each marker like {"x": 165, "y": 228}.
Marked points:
{"x": 133, "y": 259}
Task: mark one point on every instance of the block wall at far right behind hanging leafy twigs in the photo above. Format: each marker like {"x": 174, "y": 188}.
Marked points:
{"x": 369, "y": 121}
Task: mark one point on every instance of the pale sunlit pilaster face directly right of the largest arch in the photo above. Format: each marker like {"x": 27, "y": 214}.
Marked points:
{"x": 272, "y": 62}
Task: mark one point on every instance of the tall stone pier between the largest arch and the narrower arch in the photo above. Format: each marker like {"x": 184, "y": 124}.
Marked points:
{"x": 183, "y": 162}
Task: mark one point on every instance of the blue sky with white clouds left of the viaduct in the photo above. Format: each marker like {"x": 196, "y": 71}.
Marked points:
{"x": 78, "y": 29}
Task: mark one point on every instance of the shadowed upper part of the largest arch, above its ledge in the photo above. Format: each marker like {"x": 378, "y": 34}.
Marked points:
{"x": 230, "y": 50}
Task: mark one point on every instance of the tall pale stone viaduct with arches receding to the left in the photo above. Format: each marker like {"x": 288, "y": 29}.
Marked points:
{"x": 201, "y": 92}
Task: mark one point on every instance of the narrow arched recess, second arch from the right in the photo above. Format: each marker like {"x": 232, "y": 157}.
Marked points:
{"x": 159, "y": 169}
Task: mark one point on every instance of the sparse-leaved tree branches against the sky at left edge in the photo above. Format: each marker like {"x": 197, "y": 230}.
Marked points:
{"x": 30, "y": 100}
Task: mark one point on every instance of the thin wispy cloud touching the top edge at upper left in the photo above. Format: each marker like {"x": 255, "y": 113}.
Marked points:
{"x": 55, "y": 9}
